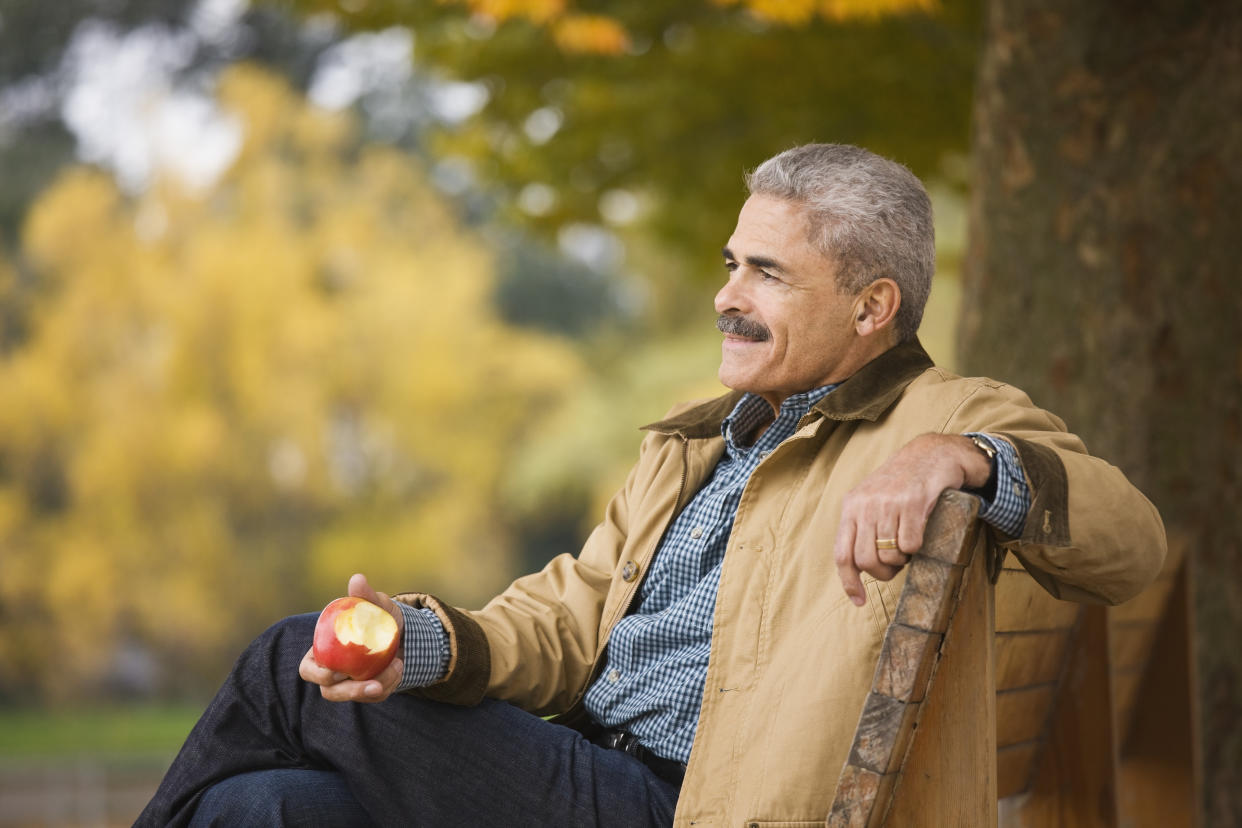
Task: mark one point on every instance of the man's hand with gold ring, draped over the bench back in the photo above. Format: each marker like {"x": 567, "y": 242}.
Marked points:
{"x": 895, "y": 502}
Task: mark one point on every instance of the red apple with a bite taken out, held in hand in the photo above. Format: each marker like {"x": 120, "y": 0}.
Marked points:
{"x": 356, "y": 637}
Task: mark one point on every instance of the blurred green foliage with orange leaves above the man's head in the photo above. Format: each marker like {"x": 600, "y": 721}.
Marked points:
{"x": 641, "y": 117}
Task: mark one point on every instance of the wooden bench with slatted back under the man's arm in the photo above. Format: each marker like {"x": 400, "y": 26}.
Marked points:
{"x": 994, "y": 703}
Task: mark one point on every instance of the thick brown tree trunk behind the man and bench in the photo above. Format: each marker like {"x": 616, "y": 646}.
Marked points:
{"x": 1102, "y": 277}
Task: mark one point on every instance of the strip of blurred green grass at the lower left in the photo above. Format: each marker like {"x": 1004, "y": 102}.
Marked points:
{"x": 95, "y": 732}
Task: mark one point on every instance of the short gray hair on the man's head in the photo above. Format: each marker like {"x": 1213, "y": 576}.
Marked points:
{"x": 869, "y": 215}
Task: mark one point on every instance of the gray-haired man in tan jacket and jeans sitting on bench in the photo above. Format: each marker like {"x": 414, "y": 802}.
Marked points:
{"x": 712, "y": 644}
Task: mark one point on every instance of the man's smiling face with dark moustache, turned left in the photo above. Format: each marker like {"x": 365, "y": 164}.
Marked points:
{"x": 787, "y": 327}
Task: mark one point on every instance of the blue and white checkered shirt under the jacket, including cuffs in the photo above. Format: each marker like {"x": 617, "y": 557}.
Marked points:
{"x": 656, "y": 660}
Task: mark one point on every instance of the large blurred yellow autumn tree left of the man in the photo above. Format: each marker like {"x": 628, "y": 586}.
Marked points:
{"x": 227, "y": 404}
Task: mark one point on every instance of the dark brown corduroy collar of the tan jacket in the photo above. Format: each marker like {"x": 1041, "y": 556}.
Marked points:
{"x": 864, "y": 397}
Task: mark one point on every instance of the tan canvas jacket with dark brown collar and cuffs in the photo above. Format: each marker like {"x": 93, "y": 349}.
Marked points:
{"x": 792, "y": 657}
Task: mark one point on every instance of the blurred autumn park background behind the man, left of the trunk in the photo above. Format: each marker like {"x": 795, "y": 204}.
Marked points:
{"x": 297, "y": 289}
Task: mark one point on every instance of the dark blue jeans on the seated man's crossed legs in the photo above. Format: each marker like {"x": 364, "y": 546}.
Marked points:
{"x": 270, "y": 752}
